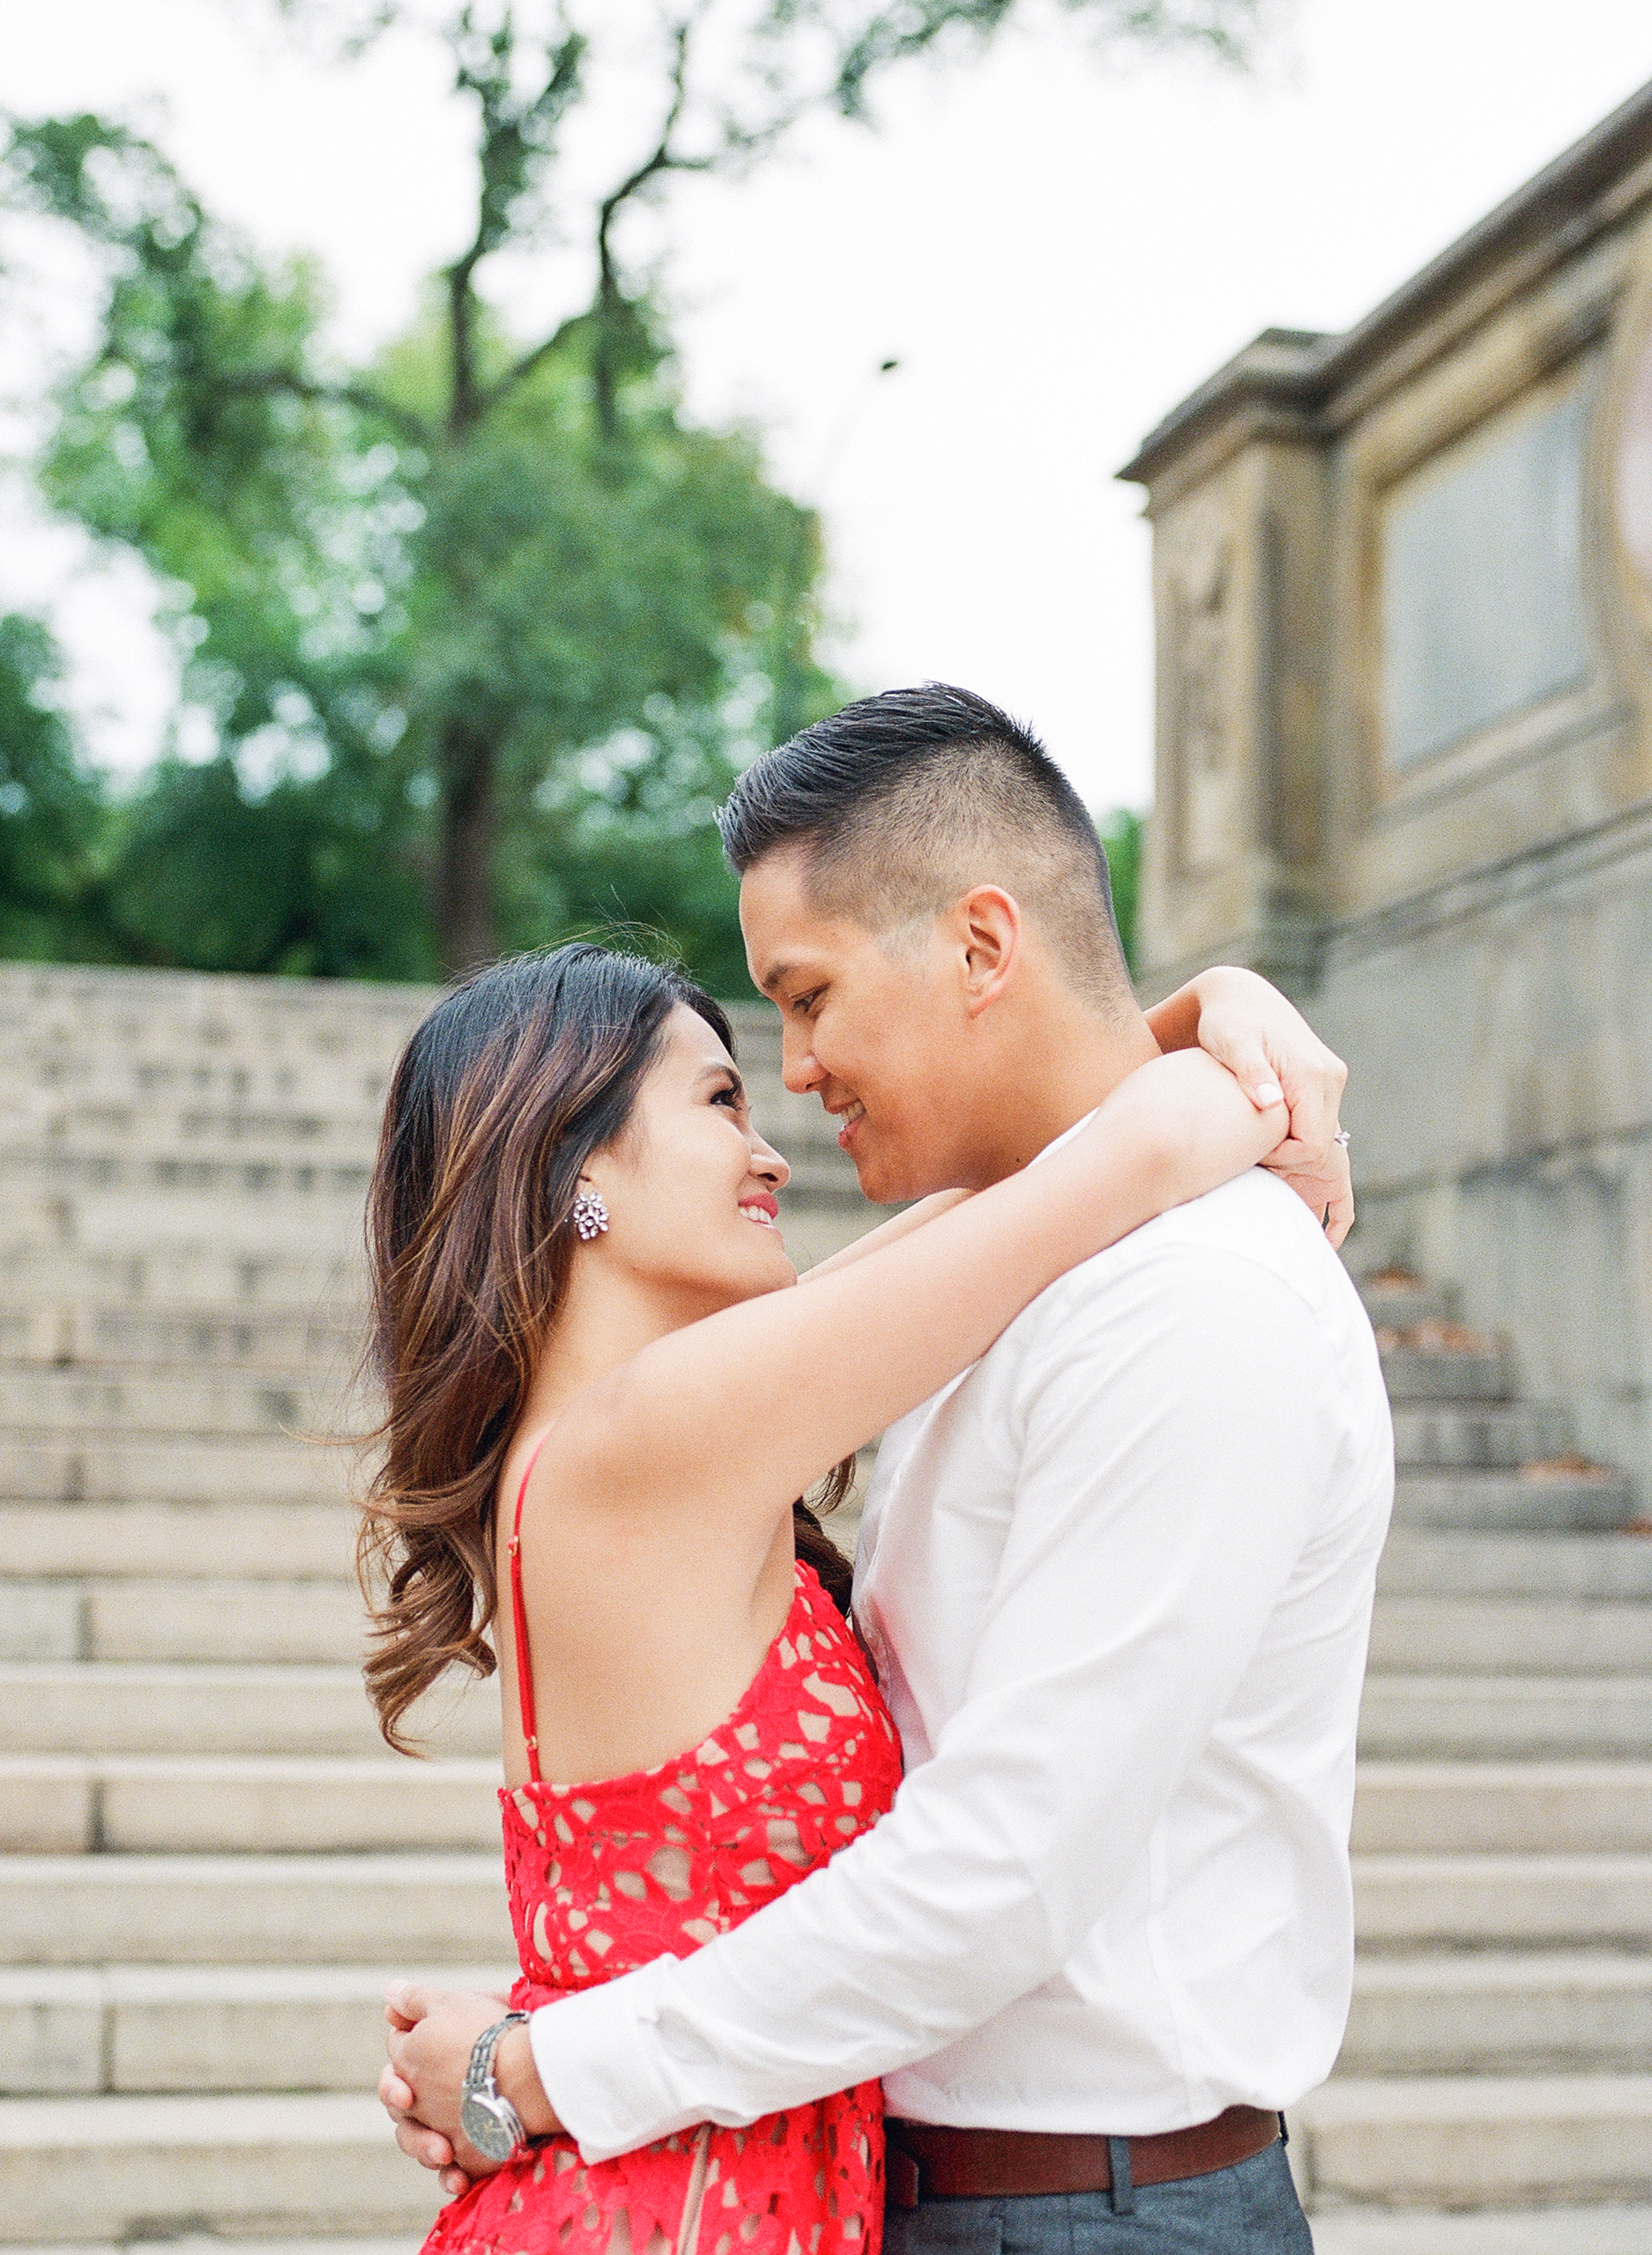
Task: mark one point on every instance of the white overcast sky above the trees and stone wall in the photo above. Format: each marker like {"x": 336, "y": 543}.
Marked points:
{"x": 1054, "y": 245}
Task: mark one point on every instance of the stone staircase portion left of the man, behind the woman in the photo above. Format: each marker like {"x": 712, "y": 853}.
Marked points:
{"x": 208, "y": 1859}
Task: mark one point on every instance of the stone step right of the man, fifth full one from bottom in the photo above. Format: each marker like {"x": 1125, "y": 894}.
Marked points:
{"x": 1493, "y": 1717}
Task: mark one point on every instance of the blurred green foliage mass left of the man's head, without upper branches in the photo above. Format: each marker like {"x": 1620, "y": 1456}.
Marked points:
{"x": 355, "y": 587}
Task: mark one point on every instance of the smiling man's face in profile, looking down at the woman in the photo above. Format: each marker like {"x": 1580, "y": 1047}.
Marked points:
{"x": 873, "y": 1027}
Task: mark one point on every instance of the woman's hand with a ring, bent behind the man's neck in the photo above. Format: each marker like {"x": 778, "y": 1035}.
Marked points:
{"x": 1274, "y": 1054}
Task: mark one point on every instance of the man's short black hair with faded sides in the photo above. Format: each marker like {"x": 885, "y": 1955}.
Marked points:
{"x": 909, "y": 799}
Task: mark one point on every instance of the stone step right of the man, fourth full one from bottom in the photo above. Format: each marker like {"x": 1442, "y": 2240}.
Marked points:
{"x": 1504, "y": 1807}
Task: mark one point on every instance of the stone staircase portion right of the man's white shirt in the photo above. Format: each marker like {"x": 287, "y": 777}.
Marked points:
{"x": 1500, "y": 2049}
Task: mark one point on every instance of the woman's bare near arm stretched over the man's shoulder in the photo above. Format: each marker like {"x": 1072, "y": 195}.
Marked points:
{"x": 745, "y": 1411}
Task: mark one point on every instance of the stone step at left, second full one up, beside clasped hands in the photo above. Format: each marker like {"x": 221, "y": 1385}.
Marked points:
{"x": 204, "y": 2028}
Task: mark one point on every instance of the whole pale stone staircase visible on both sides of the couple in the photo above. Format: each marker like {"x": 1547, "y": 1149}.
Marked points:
{"x": 211, "y": 1866}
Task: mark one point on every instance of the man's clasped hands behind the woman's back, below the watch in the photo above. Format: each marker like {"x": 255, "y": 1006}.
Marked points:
{"x": 432, "y": 2040}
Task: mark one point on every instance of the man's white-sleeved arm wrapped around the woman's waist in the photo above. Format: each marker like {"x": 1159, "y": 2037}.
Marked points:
{"x": 1148, "y": 1553}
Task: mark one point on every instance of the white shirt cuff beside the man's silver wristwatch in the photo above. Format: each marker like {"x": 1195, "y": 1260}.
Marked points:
{"x": 605, "y": 2069}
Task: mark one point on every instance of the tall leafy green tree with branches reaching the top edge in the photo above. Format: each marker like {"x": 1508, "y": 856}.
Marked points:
{"x": 463, "y": 578}
